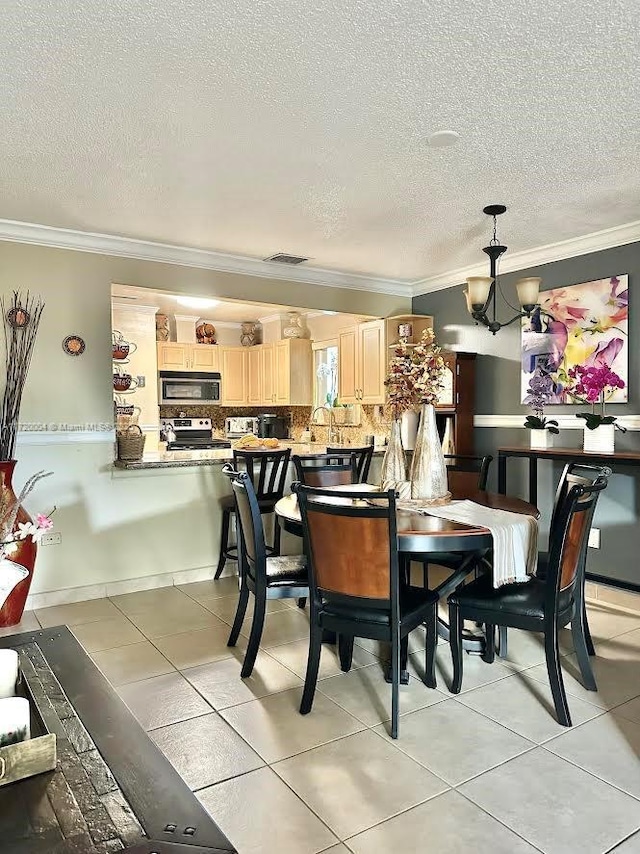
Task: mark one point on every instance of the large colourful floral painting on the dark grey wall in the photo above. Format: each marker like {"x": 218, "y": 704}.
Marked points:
{"x": 577, "y": 326}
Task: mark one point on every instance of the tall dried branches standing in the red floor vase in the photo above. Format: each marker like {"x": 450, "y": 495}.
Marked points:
{"x": 21, "y": 318}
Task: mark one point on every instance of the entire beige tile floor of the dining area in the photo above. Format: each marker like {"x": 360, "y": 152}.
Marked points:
{"x": 489, "y": 771}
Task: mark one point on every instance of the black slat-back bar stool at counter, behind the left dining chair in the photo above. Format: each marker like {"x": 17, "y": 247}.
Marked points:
{"x": 267, "y": 471}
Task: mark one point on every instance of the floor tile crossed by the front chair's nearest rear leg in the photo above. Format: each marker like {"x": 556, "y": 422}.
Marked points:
{"x": 365, "y": 694}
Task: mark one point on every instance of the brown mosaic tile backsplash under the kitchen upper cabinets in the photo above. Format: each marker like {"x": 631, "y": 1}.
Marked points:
{"x": 298, "y": 416}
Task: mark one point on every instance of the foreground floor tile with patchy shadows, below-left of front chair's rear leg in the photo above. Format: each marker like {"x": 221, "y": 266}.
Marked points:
{"x": 357, "y": 782}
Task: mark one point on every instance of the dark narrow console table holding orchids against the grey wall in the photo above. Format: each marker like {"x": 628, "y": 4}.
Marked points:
{"x": 565, "y": 455}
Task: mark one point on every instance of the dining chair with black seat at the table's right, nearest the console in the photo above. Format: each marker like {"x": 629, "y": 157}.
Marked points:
{"x": 540, "y": 604}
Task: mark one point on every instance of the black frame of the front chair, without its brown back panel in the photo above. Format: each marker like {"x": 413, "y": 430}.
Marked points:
{"x": 352, "y": 621}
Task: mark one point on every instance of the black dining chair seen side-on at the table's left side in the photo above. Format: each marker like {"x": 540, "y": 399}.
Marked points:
{"x": 267, "y": 577}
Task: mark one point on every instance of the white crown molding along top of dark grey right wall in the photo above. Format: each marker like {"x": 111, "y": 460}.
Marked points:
{"x": 597, "y": 241}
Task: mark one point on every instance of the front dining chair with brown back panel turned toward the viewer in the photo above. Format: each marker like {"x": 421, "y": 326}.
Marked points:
{"x": 352, "y": 552}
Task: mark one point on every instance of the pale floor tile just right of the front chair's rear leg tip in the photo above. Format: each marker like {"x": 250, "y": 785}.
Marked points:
{"x": 456, "y": 743}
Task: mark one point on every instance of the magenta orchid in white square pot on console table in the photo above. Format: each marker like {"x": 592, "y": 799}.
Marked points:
{"x": 595, "y": 384}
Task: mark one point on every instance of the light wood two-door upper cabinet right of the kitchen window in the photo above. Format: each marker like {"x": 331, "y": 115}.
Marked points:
{"x": 362, "y": 363}
